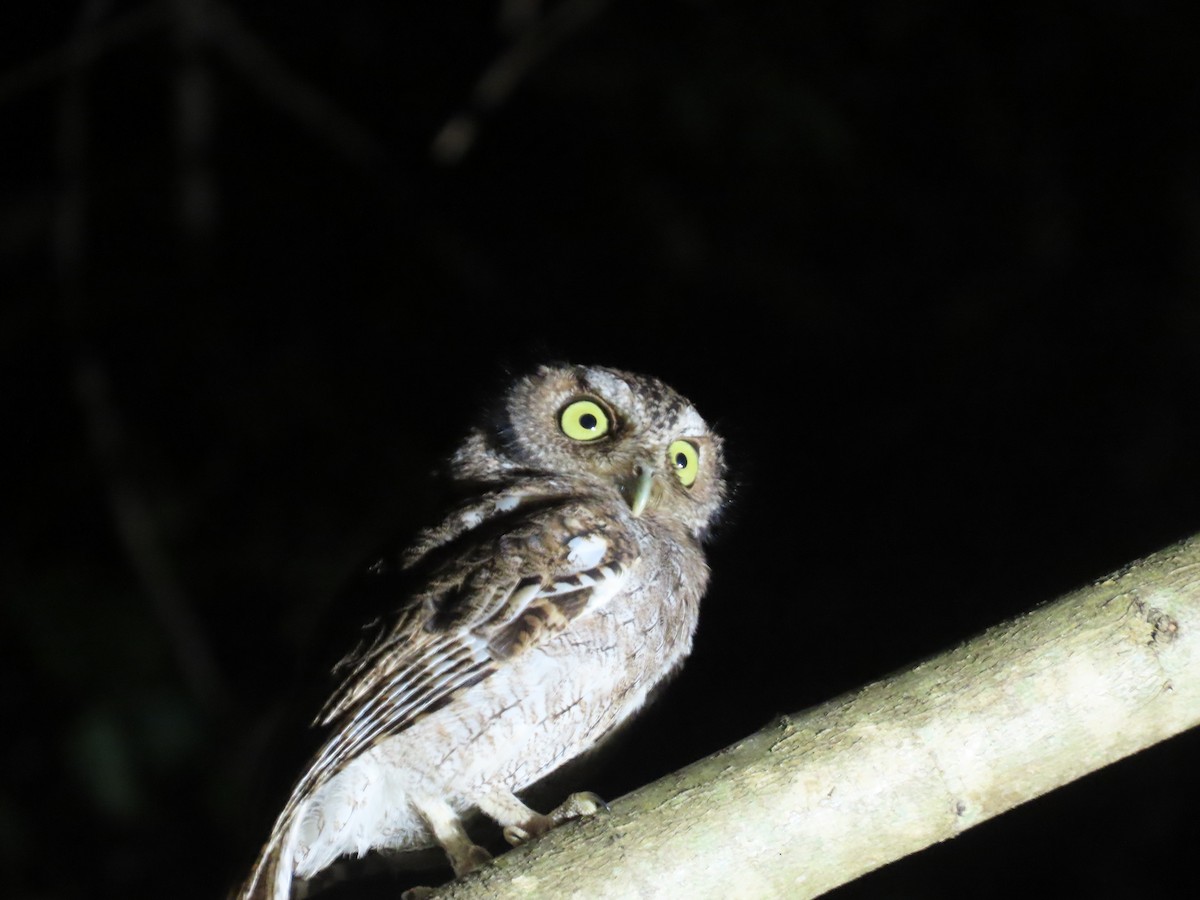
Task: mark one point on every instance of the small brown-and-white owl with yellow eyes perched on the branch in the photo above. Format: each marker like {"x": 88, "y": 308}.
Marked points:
{"x": 538, "y": 616}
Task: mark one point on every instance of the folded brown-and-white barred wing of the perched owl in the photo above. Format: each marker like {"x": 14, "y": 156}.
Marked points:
{"x": 500, "y": 592}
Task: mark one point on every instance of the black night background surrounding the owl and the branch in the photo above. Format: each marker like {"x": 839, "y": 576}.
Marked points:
{"x": 934, "y": 273}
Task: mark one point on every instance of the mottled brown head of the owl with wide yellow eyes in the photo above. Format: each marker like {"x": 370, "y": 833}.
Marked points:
{"x": 604, "y": 430}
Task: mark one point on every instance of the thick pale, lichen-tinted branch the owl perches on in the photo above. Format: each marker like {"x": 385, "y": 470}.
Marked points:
{"x": 821, "y": 797}
